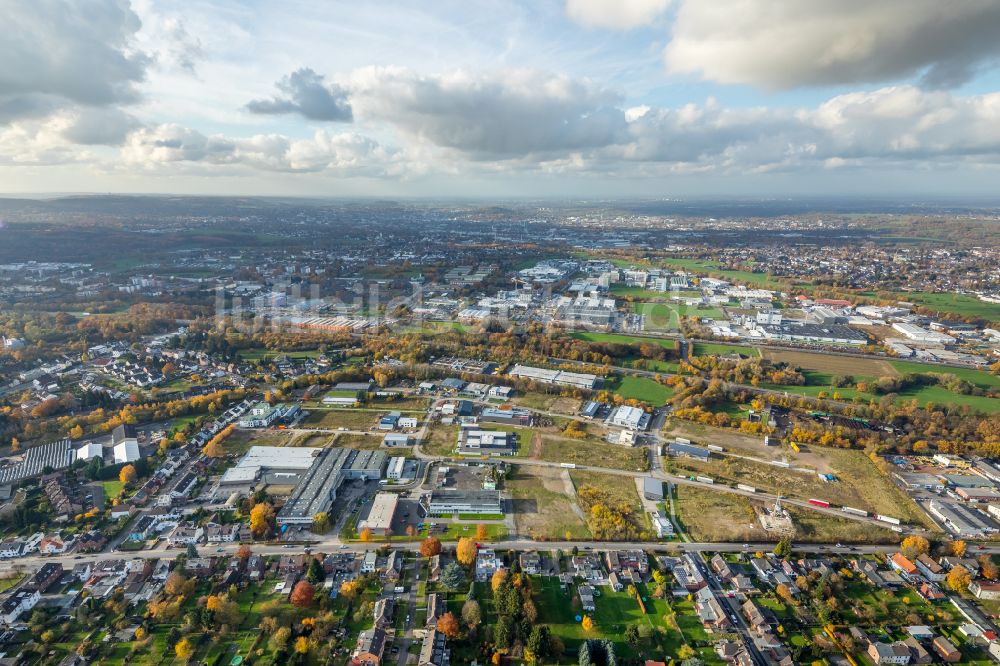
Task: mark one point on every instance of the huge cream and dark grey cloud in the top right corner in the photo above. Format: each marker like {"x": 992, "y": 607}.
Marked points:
{"x": 779, "y": 45}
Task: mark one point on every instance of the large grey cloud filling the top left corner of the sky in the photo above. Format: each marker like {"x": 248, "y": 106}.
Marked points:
{"x": 54, "y": 54}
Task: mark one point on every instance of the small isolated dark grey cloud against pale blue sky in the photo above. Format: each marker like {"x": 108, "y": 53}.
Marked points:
{"x": 305, "y": 92}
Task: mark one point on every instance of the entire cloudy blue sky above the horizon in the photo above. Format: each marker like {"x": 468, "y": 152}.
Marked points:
{"x": 501, "y": 98}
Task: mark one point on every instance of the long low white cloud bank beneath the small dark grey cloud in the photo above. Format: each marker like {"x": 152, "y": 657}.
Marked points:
{"x": 345, "y": 152}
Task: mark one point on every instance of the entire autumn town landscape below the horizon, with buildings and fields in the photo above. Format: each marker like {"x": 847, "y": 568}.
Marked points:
{"x": 371, "y": 433}
